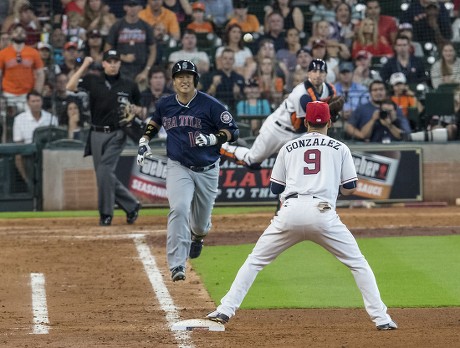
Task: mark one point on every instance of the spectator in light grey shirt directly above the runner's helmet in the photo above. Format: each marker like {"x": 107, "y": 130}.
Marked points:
{"x": 189, "y": 51}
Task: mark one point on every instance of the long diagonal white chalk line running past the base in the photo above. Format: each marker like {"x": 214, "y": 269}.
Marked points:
{"x": 160, "y": 289}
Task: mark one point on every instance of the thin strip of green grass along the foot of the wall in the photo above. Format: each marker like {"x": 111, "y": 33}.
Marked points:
{"x": 118, "y": 212}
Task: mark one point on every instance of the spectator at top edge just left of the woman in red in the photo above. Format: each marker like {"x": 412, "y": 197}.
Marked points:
{"x": 343, "y": 28}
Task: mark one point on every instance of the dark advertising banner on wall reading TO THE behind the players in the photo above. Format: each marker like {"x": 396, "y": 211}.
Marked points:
{"x": 384, "y": 175}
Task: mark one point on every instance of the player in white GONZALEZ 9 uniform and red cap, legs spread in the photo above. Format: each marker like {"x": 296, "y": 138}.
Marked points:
{"x": 309, "y": 172}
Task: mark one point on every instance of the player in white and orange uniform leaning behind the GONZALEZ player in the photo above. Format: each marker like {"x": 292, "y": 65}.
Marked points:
{"x": 286, "y": 122}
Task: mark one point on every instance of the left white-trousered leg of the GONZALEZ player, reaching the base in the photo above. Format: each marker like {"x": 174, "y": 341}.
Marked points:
{"x": 278, "y": 237}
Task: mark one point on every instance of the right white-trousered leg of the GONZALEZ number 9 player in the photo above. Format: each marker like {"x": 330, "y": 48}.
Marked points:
{"x": 337, "y": 239}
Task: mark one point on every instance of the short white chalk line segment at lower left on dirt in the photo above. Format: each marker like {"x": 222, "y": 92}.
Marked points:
{"x": 39, "y": 306}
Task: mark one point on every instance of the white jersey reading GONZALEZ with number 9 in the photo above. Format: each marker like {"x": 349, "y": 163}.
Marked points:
{"x": 315, "y": 165}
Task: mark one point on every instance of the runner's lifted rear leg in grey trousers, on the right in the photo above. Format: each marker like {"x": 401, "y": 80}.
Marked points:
{"x": 206, "y": 188}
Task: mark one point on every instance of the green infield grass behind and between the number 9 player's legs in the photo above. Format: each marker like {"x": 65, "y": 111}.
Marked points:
{"x": 410, "y": 272}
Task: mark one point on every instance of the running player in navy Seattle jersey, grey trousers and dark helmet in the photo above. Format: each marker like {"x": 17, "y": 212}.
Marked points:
{"x": 196, "y": 125}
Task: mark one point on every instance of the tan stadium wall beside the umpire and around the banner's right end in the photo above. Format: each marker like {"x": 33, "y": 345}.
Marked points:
{"x": 69, "y": 182}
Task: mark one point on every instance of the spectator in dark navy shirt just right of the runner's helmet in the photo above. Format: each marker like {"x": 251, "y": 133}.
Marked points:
{"x": 224, "y": 84}
